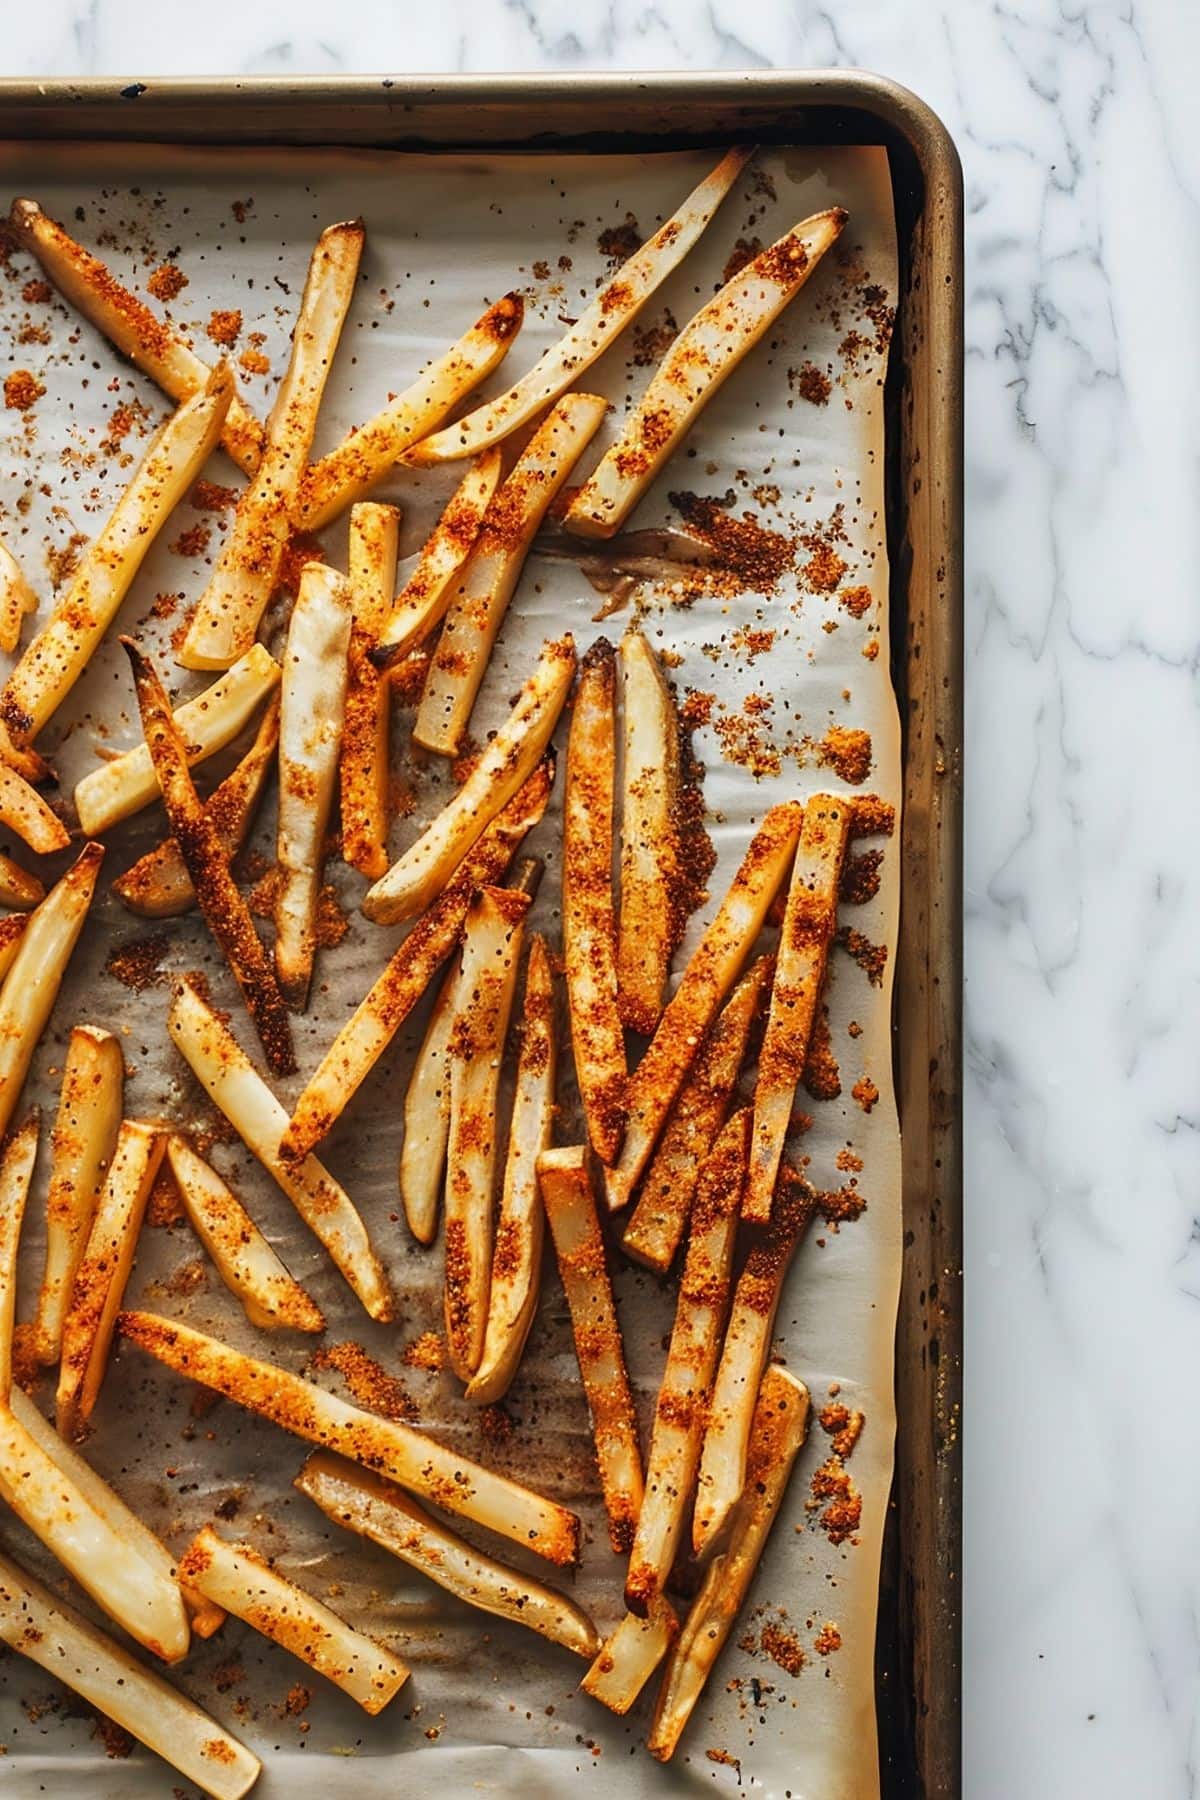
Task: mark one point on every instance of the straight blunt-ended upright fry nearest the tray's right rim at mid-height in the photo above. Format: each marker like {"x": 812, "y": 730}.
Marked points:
{"x": 809, "y": 928}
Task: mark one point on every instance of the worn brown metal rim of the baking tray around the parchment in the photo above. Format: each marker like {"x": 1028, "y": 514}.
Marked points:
{"x": 920, "y": 1614}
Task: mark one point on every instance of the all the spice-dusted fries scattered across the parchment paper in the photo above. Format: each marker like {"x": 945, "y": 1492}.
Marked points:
{"x": 676, "y": 1164}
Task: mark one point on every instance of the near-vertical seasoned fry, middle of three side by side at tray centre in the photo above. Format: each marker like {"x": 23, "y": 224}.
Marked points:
{"x": 492, "y": 944}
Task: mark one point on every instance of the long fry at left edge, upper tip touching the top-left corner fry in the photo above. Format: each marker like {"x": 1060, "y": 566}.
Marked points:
{"x": 66, "y": 645}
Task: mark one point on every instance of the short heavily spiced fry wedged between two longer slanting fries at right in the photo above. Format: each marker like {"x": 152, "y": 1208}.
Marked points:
{"x": 658, "y": 1225}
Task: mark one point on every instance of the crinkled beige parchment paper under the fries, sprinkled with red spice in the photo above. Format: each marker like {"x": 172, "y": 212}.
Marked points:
{"x": 445, "y": 237}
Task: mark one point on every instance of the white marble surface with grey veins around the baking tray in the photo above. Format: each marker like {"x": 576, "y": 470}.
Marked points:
{"x": 1084, "y": 746}
